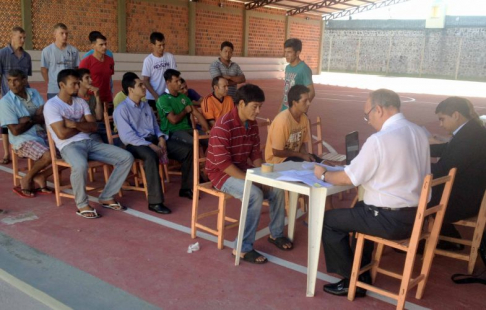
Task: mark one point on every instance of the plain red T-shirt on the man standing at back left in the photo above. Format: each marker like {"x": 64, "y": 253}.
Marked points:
{"x": 101, "y": 72}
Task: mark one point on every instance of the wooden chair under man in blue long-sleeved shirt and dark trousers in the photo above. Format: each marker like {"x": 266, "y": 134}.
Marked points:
{"x": 138, "y": 174}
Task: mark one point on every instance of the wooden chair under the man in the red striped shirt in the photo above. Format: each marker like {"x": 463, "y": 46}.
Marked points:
{"x": 209, "y": 189}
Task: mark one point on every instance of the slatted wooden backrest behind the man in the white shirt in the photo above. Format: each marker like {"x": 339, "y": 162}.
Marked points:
{"x": 438, "y": 210}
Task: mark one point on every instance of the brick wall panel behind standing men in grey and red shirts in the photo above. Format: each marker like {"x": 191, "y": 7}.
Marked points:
{"x": 80, "y": 16}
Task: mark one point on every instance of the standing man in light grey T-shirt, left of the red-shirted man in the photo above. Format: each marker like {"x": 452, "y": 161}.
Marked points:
{"x": 56, "y": 57}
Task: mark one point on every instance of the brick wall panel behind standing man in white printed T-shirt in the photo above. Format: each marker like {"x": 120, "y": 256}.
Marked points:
{"x": 144, "y": 18}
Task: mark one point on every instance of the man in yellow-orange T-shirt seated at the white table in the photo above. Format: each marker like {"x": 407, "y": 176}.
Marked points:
{"x": 290, "y": 130}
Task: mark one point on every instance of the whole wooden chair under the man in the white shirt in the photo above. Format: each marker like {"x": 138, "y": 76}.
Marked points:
{"x": 408, "y": 245}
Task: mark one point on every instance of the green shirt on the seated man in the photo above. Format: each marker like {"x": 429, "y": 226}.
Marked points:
{"x": 168, "y": 103}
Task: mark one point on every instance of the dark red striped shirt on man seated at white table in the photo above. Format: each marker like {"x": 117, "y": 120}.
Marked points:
{"x": 231, "y": 143}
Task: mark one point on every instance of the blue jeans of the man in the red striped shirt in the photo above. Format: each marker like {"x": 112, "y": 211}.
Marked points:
{"x": 276, "y": 198}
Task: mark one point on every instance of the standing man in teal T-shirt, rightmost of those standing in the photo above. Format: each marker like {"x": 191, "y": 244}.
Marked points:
{"x": 297, "y": 71}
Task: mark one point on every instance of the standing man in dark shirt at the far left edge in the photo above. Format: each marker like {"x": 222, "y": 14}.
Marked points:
{"x": 13, "y": 56}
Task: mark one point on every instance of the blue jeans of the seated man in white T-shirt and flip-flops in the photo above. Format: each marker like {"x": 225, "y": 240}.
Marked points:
{"x": 77, "y": 154}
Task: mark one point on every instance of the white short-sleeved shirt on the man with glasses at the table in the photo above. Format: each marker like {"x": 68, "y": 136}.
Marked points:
{"x": 392, "y": 164}
